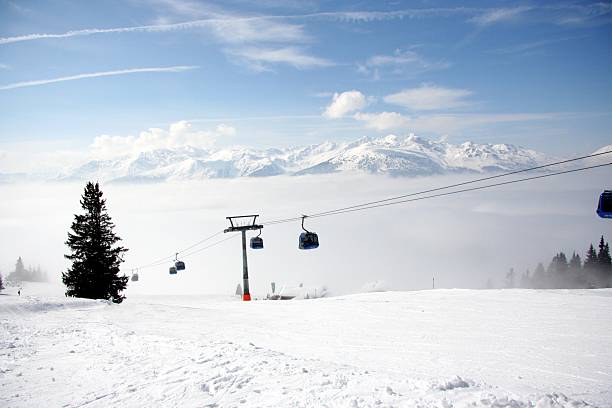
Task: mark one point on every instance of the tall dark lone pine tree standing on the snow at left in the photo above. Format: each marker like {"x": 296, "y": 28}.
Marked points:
{"x": 95, "y": 260}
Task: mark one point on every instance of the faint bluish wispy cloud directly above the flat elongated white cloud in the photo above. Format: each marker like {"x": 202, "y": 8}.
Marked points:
{"x": 401, "y": 62}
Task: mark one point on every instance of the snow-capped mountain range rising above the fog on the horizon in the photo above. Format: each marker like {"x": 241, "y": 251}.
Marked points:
{"x": 392, "y": 155}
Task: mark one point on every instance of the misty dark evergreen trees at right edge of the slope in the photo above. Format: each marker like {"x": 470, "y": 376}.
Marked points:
{"x": 573, "y": 273}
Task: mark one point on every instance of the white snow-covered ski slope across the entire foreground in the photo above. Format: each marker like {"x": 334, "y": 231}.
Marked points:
{"x": 437, "y": 348}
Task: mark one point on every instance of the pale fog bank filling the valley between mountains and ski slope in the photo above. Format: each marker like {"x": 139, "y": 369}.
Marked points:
{"x": 461, "y": 240}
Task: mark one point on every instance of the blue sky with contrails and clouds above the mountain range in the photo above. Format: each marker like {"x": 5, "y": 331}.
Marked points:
{"x": 280, "y": 73}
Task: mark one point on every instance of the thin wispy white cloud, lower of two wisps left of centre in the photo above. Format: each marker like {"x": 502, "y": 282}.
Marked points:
{"x": 260, "y": 58}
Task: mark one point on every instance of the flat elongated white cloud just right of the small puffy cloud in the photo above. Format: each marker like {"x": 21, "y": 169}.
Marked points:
{"x": 429, "y": 97}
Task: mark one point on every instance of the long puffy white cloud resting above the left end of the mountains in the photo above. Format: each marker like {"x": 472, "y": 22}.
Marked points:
{"x": 179, "y": 134}
